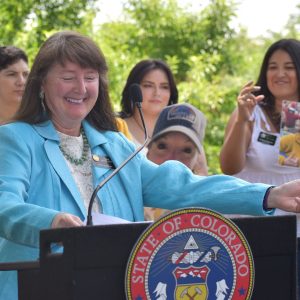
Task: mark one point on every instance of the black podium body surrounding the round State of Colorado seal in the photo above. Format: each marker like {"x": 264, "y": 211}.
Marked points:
{"x": 94, "y": 259}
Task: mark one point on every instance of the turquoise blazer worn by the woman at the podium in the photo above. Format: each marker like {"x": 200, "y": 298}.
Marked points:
{"x": 36, "y": 184}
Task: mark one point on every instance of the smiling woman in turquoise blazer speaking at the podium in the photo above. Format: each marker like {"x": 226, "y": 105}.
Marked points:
{"x": 40, "y": 185}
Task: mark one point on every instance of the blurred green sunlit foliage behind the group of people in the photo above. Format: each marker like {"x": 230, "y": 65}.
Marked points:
{"x": 211, "y": 60}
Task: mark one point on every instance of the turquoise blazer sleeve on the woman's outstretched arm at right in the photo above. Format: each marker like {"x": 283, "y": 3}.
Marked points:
{"x": 172, "y": 185}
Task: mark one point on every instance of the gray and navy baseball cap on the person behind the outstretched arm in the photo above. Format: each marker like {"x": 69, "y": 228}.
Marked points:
{"x": 184, "y": 118}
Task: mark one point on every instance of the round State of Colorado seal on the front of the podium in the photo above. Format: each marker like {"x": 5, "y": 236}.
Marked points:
{"x": 191, "y": 253}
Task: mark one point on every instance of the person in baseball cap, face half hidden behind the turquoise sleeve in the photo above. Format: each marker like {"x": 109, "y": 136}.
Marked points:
{"x": 178, "y": 135}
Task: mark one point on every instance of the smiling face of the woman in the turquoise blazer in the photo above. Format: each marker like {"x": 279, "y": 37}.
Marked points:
{"x": 71, "y": 92}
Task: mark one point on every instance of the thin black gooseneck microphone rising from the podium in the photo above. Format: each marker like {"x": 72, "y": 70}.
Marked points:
{"x": 136, "y": 97}
